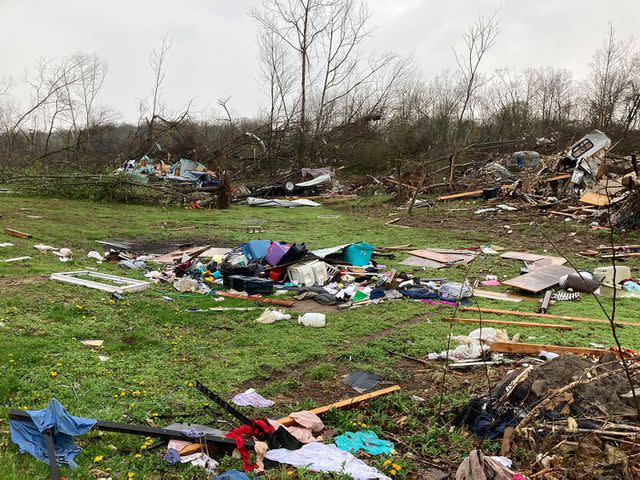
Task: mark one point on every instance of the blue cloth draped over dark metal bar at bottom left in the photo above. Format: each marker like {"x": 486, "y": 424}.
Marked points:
{"x": 29, "y": 436}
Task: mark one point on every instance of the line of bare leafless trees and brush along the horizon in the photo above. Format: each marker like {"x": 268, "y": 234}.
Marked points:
{"x": 326, "y": 102}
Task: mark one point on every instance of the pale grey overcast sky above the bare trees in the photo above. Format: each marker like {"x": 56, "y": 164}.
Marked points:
{"x": 214, "y": 41}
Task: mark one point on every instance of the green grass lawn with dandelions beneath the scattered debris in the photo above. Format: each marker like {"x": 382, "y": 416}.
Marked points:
{"x": 157, "y": 349}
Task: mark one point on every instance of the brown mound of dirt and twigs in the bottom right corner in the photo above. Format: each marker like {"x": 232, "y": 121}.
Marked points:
{"x": 571, "y": 409}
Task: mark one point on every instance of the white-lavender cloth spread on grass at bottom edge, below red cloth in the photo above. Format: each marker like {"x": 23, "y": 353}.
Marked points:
{"x": 320, "y": 457}
